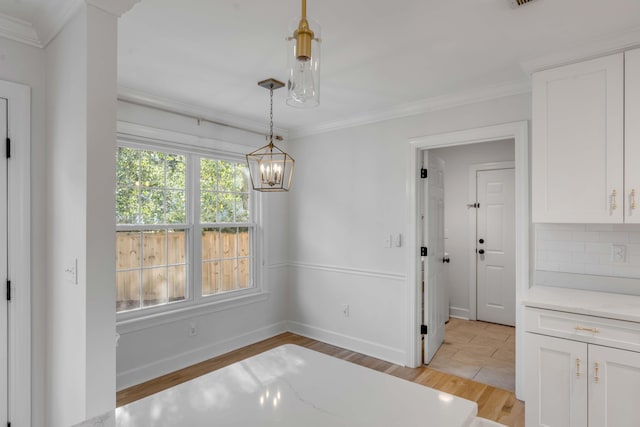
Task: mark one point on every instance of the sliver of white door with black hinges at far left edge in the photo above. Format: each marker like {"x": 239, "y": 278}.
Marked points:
{"x": 4, "y": 354}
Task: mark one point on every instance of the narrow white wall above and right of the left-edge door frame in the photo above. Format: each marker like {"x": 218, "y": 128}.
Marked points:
{"x": 26, "y": 65}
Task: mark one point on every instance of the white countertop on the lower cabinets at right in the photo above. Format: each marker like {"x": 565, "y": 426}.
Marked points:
{"x": 601, "y": 304}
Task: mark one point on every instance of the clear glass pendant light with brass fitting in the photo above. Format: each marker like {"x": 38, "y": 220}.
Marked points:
{"x": 303, "y": 68}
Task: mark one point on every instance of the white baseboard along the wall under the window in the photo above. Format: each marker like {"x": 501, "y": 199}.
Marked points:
{"x": 164, "y": 366}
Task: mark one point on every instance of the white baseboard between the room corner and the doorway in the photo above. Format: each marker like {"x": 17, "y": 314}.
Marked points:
{"x": 390, "y": 354}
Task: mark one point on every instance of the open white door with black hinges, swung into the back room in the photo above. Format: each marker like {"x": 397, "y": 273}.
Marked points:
{"x": 434, "y": 311}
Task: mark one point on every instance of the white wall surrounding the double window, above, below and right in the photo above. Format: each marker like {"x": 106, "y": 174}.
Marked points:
{"x": 148, "y": 349}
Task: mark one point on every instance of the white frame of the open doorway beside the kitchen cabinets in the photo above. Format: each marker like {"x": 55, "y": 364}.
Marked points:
{"x": 519, "y": 132}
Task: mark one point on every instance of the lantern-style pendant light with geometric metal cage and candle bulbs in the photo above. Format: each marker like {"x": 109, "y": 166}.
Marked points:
{"x": 270, "y": 168}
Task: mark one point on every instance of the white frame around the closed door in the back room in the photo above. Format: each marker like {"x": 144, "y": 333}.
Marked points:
{"x": 473, "y": 231}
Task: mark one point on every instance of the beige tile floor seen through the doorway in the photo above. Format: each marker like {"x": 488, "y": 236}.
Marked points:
{"x": 481, "y": 351}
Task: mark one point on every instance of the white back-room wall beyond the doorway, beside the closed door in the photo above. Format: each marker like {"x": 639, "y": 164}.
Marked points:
{"x": 457, "y": 195}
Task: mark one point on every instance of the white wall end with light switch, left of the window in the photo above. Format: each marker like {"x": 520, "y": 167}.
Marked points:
{"x": 80, "y": 224}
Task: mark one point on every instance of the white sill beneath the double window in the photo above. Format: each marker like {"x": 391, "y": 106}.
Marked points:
{"x": 152, "y": 320}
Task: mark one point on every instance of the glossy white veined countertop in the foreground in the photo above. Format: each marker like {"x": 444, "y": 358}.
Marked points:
{"x": 295, "y": 386}
